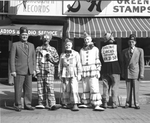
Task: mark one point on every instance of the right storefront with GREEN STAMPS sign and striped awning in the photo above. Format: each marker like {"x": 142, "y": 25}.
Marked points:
{"x": 120, "y": 17}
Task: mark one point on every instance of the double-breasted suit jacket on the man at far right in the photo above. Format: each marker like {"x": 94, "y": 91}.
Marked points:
{"x": 133, "y": 66}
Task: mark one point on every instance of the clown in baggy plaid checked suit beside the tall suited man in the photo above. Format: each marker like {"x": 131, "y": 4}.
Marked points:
{"x": 46, "y": 57}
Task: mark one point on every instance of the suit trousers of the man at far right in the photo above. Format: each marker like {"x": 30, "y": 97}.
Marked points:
{"x": 132, "y": 85}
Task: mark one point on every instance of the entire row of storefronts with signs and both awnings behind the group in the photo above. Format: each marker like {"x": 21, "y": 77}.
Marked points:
{"x": 71, "y": 18}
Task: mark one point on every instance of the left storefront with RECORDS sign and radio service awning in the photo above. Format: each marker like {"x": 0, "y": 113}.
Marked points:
{"x": 37, "y": 24}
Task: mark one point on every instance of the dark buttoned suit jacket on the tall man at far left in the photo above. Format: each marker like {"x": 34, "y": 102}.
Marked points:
{"x": 22, "y": 61}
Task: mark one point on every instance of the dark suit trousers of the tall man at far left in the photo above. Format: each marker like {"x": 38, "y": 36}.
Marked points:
{"x": 23, "y": 82}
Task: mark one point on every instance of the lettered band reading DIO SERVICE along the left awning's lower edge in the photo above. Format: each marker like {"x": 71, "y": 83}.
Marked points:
{"x": 9, "y": 31}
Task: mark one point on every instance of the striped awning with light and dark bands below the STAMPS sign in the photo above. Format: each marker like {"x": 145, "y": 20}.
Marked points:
{"x": 97, "y": 27}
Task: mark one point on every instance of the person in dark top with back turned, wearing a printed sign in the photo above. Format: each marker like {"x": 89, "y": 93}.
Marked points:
{"x": 111, "y": 62}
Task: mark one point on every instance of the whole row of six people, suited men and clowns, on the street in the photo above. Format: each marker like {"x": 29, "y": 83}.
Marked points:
{"x": 73, "y": 67}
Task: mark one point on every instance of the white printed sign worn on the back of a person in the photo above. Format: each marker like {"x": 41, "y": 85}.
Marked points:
{"x": 109, "y": 53}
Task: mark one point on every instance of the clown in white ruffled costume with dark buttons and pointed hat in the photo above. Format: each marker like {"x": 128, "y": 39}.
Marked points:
{"x": 91, "y": 67}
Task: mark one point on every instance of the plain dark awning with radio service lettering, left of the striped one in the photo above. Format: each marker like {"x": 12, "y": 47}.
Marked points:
{"x": 33, "y": 30}
